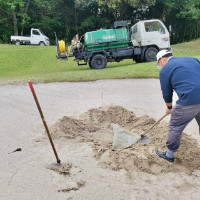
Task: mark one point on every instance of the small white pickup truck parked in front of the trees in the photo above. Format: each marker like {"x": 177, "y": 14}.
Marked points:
{"x": 37, "y": 38}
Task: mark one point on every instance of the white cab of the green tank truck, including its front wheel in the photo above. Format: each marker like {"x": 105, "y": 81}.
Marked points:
{"x": 151, "y": 36}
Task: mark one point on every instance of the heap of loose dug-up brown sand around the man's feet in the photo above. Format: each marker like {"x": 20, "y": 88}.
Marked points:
{"x": 94, "y": 127}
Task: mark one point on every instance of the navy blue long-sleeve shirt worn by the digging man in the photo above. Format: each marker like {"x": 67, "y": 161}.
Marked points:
{"x": 181, "y": 74}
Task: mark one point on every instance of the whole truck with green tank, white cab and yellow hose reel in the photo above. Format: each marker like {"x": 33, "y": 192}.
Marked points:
{"x": 141, "y": 43}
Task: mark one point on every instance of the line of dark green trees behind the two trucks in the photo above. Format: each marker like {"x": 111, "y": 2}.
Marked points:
{"x": 68, "y": 17}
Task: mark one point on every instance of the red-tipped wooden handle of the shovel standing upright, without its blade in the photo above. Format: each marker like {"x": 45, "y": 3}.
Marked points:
{"x": 43, "y": 120}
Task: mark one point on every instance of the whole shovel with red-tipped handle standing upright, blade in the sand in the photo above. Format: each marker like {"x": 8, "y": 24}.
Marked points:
{"x": 54, "y": 166}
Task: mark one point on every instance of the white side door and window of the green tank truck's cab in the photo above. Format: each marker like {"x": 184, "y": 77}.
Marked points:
{"x": 155, "y": 33}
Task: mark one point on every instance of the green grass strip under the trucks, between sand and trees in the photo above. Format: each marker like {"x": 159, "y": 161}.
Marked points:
{"x": 21, "y": 63}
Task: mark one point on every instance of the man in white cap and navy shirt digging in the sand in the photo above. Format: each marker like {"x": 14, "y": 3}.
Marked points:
{"x": 182, "y": 75}
